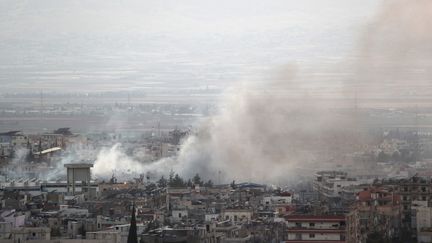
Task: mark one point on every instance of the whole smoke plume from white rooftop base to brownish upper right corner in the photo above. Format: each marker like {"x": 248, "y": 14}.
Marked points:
{"x": 275, "y": 132}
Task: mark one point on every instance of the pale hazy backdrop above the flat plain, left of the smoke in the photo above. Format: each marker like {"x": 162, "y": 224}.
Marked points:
{"x": 98, "y": 45}
